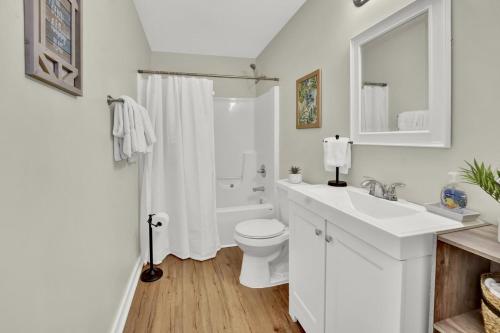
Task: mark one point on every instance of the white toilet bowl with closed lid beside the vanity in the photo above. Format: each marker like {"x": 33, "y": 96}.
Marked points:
{"x": 264, "y": 243}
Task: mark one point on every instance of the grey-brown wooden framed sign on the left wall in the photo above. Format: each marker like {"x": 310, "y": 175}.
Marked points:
{"x": 52, "y": 33}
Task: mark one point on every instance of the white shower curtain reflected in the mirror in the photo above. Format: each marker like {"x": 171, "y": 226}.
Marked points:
{"x": 375, "y": 115}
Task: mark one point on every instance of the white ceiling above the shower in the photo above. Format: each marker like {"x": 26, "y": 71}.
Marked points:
{"x": 237, "y": 28}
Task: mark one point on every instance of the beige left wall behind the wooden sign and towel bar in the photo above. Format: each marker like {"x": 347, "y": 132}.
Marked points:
{"x": 68, "y": 216}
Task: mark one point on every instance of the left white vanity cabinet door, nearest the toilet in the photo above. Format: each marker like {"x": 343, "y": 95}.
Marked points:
{"x": 307, "y": 268}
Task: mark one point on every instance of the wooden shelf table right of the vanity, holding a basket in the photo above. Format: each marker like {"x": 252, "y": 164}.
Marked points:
{"x": 461, "y": 258}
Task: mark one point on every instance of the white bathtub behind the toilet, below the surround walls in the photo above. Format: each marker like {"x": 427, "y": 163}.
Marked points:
{"x": 228, "y": 218}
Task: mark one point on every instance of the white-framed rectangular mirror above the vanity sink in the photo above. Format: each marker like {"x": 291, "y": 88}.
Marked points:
{"x": 401, "y": 78}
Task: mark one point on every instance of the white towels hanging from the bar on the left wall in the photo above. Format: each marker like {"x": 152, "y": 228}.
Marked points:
{"x": 132, "y": 130}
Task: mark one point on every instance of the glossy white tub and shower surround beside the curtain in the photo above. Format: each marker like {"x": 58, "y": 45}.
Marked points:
{"x": 246, "y": 159}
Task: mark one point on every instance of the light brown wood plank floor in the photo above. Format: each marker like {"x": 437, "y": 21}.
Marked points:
{"x": 206, "y": 296}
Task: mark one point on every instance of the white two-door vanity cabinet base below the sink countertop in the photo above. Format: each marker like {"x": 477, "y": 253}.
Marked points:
{"x": 340, "y": 283}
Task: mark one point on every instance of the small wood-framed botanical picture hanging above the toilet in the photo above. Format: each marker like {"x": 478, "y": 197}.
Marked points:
{"x": 308, "y": 101}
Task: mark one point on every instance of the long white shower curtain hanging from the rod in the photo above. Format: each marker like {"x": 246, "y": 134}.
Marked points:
{"x": 178, "y": 177}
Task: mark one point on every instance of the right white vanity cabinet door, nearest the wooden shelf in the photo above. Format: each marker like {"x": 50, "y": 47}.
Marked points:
{"x": 363, "y": 286}
